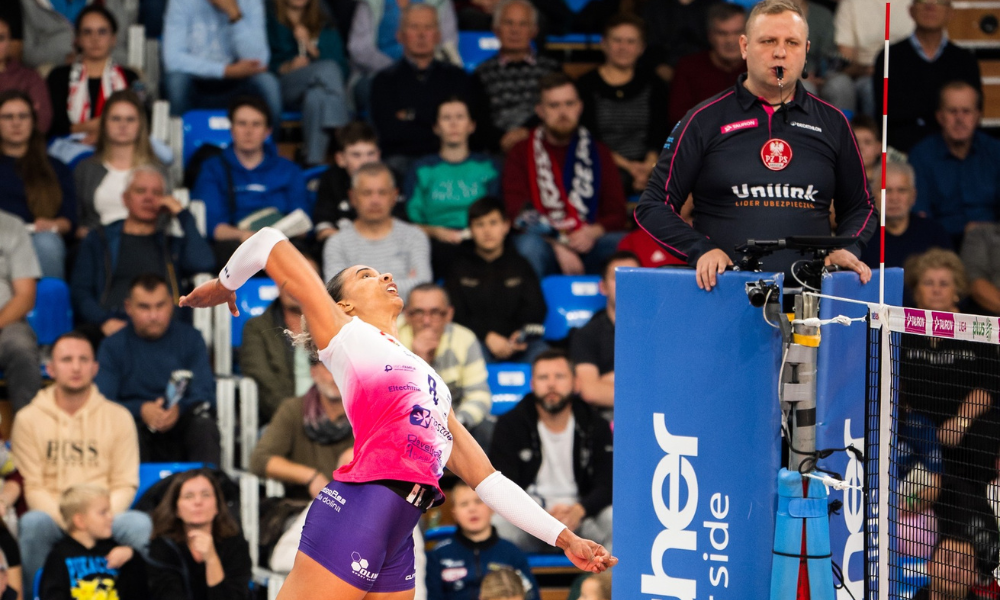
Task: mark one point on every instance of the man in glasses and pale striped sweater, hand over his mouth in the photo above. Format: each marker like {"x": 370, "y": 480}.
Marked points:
{"x": 455, "y": 354}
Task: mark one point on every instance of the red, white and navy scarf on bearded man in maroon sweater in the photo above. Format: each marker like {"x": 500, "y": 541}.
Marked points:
{"x": 561, "y": 210}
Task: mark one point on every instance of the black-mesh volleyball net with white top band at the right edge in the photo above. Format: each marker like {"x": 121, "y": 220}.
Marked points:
{"x": 933, "y": 446}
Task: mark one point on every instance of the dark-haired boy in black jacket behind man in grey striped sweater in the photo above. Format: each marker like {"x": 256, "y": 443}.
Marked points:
{"x": 357, "y": 146}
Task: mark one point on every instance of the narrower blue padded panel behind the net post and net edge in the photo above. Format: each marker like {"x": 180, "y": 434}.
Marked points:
{"x": 840, "y": 399}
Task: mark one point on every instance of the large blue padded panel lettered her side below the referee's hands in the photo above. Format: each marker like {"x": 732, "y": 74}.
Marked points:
{"x": 697, "y": 444}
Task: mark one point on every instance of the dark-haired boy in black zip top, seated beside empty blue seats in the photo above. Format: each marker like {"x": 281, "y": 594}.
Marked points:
{"x": 494, "y": 290}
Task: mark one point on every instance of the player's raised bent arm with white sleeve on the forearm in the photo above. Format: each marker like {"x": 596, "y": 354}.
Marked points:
{"x": 270, "y": 250}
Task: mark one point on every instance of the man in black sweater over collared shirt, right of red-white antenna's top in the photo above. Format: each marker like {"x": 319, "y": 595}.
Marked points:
{"x": 919, "y": 67}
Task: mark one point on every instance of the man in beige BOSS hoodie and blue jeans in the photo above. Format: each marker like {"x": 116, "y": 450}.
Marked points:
{"x": 72, "y": 430}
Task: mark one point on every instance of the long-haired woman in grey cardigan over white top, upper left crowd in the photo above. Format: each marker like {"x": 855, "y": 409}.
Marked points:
{"x": 122, "y": 145}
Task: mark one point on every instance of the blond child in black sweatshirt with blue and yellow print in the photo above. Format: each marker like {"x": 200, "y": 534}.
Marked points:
{"x": 87, "y": 563}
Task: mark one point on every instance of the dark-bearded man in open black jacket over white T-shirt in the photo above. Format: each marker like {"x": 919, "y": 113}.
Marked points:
{"x": 559, "y": 449}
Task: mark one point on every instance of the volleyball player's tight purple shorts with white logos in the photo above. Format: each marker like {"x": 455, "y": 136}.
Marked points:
{"x": 363, "y": 534}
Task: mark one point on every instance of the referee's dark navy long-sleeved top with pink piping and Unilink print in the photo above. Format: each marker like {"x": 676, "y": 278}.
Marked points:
{"x": 714, "y": 153}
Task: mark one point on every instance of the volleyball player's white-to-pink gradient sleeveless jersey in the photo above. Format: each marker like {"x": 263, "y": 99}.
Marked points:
{"x": 396, "y": 403}
